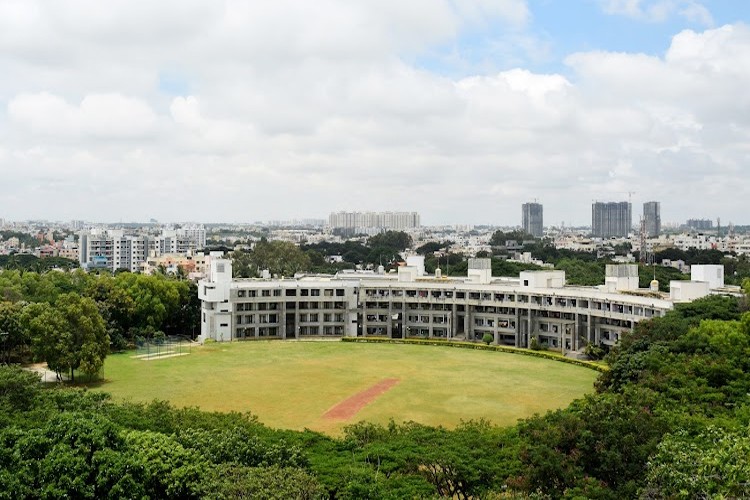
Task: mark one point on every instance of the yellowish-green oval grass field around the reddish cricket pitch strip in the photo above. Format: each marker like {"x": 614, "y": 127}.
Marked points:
{"x": 292, "y": 384}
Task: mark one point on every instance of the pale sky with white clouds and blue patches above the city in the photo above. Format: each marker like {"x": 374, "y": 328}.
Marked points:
{"x": 461, "y": 110}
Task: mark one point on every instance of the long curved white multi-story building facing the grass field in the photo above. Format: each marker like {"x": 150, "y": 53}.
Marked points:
{"x": 537, "y": 304}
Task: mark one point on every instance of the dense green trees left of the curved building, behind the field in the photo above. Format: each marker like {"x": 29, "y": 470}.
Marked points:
{"x": 71, "y": 320}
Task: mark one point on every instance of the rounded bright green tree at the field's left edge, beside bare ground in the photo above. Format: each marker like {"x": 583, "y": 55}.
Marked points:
{"x": 69, "y": 336}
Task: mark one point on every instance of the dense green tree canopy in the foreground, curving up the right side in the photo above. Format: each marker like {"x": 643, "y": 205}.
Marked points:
{"x": 670, "y": 419}
